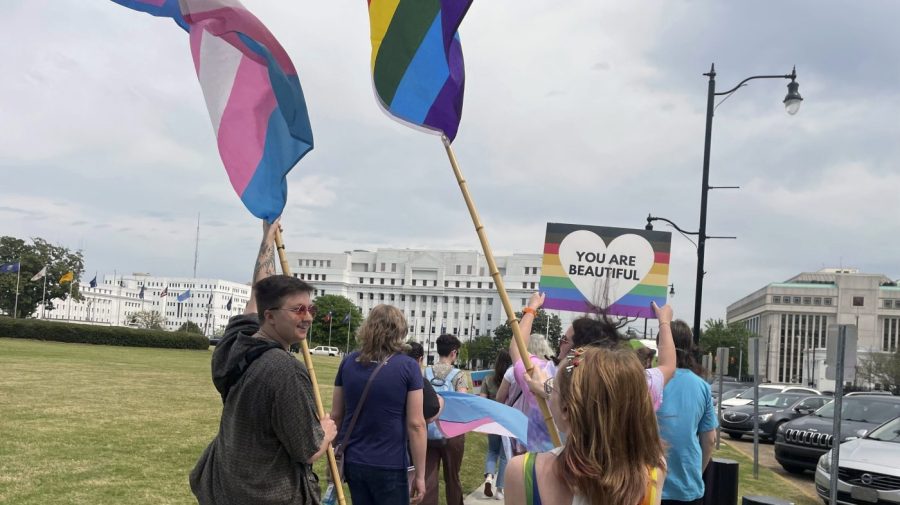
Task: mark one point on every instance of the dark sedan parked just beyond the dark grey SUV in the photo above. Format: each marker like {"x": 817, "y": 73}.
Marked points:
{"x": 774, "y": 410}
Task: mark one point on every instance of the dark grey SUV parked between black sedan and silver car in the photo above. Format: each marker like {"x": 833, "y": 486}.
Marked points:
{"x": 800, "y": 443}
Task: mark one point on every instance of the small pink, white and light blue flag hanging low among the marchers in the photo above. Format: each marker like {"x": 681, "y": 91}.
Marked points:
{"x": 463, "y": 413}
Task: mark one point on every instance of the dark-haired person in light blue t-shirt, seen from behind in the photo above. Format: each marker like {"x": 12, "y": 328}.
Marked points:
{"x": 687, "y": 422}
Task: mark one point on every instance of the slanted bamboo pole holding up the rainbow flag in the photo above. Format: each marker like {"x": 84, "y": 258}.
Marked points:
{"x": 501, "y": 289}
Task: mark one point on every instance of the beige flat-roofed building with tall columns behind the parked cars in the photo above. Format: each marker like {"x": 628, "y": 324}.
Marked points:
{"x": 794, "y": 316}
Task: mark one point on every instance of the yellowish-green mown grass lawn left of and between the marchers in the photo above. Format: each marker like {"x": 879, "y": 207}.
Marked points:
{"x": 84, "y": 424}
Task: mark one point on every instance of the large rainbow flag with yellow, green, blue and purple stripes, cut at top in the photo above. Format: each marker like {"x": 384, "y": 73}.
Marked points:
{"x": 417, "y": 64}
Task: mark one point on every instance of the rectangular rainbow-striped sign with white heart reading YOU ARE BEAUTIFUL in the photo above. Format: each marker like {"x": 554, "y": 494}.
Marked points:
{"x": 617, "y": 269}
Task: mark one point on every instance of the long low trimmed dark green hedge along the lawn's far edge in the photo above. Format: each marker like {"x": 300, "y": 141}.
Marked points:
{"x": 100, "y": 335}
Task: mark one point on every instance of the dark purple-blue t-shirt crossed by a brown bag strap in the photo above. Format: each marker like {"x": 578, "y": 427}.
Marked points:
{"x": 379, "y": 437}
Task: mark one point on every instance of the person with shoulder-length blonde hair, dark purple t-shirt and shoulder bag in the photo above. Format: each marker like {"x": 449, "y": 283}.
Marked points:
{"x": 390, "y": 419}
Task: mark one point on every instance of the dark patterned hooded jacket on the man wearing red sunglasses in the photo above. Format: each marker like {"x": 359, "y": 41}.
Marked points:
{"x": 269, "y": 427}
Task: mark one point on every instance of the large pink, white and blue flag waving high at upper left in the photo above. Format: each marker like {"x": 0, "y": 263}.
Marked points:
{"x": 252, "y": 93}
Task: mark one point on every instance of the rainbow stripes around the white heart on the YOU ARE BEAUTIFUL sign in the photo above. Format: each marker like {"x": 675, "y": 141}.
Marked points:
{"x": 562, "y": 294}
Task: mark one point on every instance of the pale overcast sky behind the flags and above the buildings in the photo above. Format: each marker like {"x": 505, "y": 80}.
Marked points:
{"x": 587, "y": 112}
